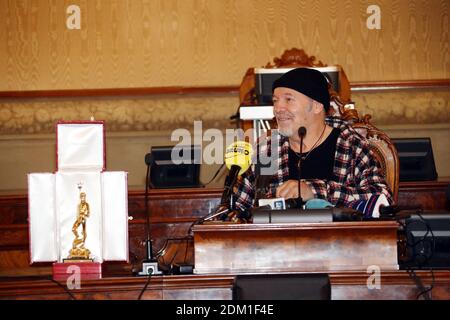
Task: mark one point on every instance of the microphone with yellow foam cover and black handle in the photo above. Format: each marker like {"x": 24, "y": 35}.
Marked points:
{"x": 238, "y": 160}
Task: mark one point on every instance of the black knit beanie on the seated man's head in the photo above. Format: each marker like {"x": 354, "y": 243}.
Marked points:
{"x": 310, "y": 82}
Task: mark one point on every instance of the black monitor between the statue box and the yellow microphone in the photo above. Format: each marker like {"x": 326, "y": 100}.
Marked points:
{"x": 175, "y": 166}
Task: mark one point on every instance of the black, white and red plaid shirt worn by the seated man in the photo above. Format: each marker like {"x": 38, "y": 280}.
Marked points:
{"x": 357, "y": 173}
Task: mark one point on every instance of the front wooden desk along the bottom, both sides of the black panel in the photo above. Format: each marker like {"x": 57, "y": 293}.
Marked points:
{"x": 396, "y": 285}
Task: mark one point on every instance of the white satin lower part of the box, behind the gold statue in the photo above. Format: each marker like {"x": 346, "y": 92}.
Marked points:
{"x": 53, "y": 203}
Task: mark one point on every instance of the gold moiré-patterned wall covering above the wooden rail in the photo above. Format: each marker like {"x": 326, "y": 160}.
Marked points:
{"x": 149, "y": 43}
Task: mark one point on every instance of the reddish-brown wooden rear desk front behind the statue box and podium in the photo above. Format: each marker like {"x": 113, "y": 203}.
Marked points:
{"x": 172, "y": 212}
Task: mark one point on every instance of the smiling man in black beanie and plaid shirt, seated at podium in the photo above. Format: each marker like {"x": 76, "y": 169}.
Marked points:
{"x": 337, "y": 164}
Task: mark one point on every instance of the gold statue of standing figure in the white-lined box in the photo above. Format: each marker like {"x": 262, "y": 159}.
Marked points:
{"x": 78, "y": 251}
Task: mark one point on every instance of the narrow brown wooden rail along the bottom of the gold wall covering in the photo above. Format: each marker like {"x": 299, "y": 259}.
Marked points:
{"x": 371, "y": 86}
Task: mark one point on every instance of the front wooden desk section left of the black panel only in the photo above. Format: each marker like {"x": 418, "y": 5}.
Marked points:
{"x": 122, "y": 288}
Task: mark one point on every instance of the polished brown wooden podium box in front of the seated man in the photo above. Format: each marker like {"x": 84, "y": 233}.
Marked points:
{"x": 305, "y": 247}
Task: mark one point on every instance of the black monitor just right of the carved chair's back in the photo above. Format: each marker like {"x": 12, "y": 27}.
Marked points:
{"x": 416, "y": 159}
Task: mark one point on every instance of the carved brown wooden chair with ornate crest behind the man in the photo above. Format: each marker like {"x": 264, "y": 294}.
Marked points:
{"x": 342, "y": 106}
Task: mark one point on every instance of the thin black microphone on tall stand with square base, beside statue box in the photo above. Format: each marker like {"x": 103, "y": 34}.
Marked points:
{"x": 150, "y": 264}
